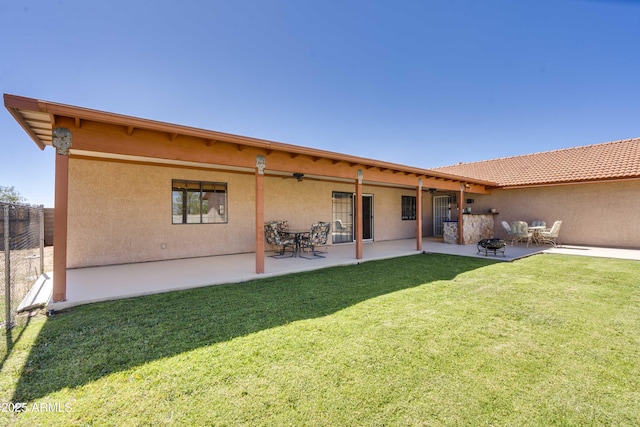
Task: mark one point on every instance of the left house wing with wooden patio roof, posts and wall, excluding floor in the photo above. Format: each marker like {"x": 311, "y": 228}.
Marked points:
{"x": 123, "y": 188}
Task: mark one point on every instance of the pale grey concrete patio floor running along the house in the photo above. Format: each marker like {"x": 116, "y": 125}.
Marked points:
{"x": 95, "y": 284}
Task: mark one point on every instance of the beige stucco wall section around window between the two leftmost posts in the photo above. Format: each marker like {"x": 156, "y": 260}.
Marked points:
{"x": 121, "y": 213}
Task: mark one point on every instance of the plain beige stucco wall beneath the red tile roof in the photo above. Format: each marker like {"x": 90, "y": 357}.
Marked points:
{"x": 599, "y": 214}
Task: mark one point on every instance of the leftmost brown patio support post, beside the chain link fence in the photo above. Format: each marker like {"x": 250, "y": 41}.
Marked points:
{"x": 62, "y": 143}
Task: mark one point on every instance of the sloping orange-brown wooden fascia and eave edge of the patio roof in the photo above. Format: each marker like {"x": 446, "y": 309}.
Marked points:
{"x": 53, "y": 112}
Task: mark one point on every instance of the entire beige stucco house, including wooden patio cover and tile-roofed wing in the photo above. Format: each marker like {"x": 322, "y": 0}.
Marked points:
{"x": 125, "y": 190}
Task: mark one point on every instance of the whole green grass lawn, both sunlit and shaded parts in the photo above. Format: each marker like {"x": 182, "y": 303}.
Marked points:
{"x": 421, "y": 340}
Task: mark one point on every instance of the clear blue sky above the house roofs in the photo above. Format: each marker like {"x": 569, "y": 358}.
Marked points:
{"x": 423, "y": 83}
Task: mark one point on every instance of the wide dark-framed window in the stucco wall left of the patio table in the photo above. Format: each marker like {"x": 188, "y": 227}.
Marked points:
{"x": 195, "y": 202}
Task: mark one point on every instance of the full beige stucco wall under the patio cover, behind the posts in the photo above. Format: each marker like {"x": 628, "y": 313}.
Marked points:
{"x": 121, "y": 212}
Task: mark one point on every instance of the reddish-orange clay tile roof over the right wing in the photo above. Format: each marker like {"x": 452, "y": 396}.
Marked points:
{"x": 607, "y": 161}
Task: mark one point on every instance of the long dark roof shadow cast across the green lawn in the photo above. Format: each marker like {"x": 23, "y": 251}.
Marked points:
{"x": 92, "y": 341}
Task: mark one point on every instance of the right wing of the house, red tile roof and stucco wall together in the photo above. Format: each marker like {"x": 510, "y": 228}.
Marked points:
{"x": 594, "y": 190}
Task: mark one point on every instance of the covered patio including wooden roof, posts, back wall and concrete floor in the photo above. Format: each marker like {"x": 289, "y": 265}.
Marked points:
{"x": 145, "y": 207}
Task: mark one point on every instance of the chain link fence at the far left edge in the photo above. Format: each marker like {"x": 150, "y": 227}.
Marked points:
{"x": 22, "y": 255}
